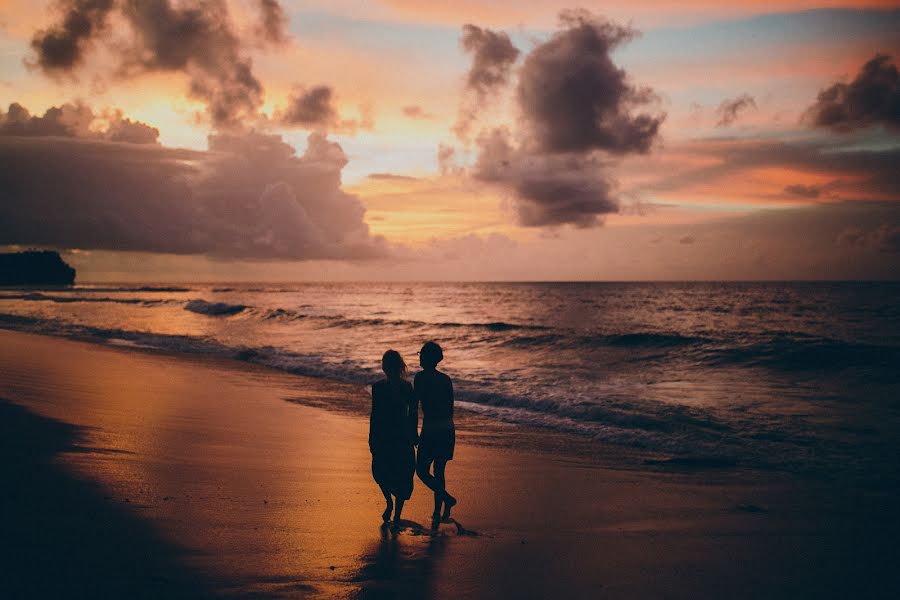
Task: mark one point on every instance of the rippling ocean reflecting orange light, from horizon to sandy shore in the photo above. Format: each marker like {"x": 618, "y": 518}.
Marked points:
{"x": 792, "y": 376}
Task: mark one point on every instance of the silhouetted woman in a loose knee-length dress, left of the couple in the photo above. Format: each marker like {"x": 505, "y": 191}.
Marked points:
{"x": 392, "y": 431}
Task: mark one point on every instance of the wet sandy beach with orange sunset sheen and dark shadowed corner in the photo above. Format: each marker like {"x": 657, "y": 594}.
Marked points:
{"x": 135, "y": 474}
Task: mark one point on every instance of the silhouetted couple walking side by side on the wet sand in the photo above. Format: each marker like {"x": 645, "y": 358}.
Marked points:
{"x": 393, "y": 432}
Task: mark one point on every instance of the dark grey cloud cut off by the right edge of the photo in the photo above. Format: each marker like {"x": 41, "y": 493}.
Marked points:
{"x": 872, "y": 98}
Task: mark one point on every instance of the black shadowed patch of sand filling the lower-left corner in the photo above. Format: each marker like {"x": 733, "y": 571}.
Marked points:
{"x": 62, "y": 538}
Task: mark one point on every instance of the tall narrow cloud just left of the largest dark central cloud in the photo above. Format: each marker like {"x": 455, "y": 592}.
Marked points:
{"x": 493, "y": 56}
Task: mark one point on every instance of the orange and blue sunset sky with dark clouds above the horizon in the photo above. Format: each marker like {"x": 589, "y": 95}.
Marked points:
{"x": 419, "y": 140}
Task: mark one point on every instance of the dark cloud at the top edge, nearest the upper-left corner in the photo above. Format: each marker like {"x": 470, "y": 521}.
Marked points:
{"x": 61, "y": 47}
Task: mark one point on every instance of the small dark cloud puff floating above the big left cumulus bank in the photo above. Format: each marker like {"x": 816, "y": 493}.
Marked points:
{"x": 315, "y": 108}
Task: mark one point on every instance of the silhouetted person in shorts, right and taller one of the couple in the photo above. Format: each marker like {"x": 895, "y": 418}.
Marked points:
{"x": 434, "y": 391}
